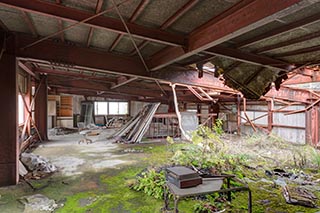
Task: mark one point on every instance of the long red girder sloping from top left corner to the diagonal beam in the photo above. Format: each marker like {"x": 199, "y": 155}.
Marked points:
{"x": 103, "y": 22}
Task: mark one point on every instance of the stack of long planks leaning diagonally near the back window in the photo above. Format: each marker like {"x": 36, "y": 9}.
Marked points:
{"x": 134, "y": 130}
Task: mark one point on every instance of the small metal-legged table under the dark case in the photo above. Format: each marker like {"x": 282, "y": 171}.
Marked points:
{"x": 179, "y": 193}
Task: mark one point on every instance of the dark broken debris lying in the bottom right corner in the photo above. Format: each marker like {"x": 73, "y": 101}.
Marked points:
{"x": 299, "y": 196}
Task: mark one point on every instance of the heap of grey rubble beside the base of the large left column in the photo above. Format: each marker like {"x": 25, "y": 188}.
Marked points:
{"x": 39, "y": 166}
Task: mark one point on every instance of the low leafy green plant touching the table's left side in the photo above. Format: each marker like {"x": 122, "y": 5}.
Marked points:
{"x": 151, "y": 183}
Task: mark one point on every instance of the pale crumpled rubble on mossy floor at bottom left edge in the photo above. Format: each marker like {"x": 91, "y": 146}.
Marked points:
{"x": 38, "y": 203}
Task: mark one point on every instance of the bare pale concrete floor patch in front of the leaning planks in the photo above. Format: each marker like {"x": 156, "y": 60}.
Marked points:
{"x": 73, "y": 158}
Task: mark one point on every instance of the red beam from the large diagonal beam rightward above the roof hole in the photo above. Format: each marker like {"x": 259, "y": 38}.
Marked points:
{"x": 250, "y": 58}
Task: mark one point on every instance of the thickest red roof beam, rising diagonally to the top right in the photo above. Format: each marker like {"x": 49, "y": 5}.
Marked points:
{"x": 245, "y": 18}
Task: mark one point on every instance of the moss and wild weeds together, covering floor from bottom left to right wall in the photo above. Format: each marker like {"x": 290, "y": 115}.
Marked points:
{"x": 138, "y": 187}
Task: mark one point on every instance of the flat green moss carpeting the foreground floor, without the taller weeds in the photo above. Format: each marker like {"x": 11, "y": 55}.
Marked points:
{"x": 108, "y": 191}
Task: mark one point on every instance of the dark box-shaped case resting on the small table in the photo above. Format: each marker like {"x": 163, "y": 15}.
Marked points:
{"x": 183, "y": 177}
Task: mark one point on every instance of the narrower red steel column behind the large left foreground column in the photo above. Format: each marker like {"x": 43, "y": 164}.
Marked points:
{"x": 41, "y": 108}
